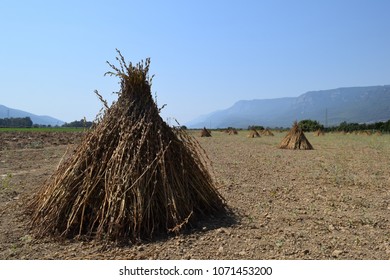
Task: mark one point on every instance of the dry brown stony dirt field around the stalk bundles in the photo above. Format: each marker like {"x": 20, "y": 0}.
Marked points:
{"x": 329, "y": 203}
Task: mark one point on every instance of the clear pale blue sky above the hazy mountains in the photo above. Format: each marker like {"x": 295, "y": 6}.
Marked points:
{"x": 205, "y": 55}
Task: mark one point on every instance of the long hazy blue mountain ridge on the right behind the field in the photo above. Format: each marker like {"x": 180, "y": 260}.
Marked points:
{"x": 352, "y": 104}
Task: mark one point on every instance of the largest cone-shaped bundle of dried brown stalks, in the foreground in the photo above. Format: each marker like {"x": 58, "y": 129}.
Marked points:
{"x": 132, "y": 178}
